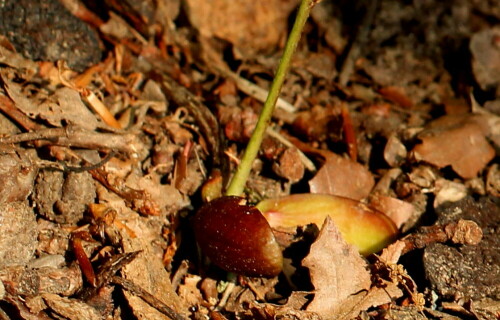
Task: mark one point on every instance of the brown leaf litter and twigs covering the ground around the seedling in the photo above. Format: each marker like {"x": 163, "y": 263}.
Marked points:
{"x": 103, "y": 162}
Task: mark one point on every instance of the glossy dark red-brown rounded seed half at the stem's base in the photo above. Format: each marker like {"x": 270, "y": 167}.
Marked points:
{"x": 237, "y": 238}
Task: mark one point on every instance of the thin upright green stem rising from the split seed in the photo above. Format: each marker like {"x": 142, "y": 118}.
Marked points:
{"x": 240, "y": 177}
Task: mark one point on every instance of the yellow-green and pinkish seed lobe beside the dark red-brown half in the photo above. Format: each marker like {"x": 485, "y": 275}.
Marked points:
{"x": 367, "y": 229}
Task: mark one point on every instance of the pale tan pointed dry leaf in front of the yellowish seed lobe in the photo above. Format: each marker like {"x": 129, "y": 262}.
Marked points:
{"x": 338, "y": 274}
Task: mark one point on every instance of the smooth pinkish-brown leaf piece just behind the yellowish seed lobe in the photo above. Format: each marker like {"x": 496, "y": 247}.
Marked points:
{"x": 342, "y": 177}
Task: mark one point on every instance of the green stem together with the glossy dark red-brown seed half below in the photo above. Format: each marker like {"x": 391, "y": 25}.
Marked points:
{"x": 234, "y": 236}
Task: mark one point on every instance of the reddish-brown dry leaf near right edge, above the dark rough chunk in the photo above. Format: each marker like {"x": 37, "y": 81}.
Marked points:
{"x": 462, "y": 146}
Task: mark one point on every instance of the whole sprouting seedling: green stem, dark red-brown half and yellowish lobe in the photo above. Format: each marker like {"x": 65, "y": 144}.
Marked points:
{"x": 239, "y": 239}
